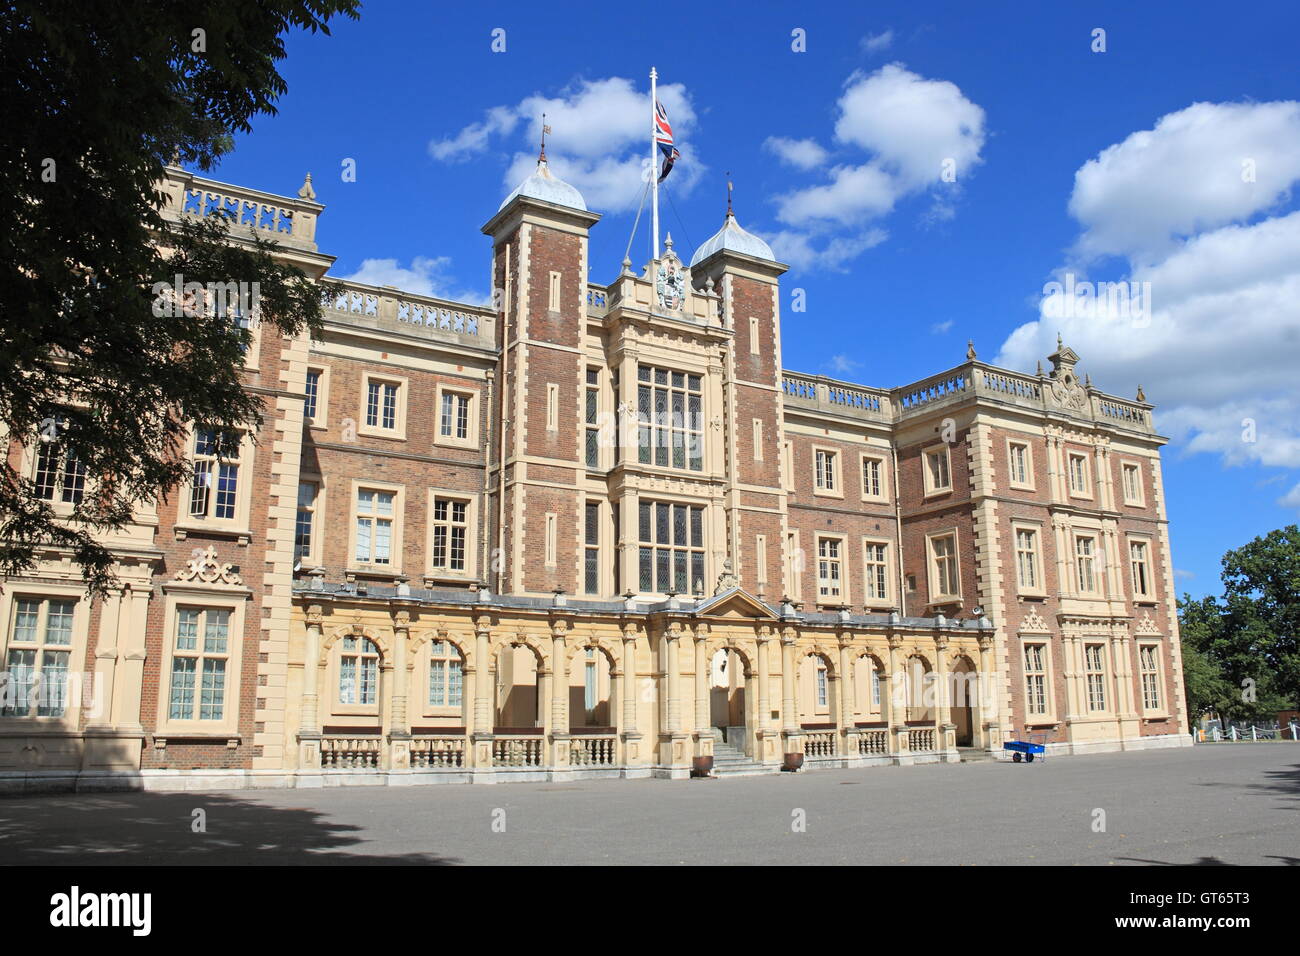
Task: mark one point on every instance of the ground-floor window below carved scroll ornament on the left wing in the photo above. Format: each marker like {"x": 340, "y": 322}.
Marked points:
{"x": 200, "y": 664}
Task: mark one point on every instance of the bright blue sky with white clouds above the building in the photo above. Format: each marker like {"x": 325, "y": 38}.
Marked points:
{"x": 1171, "y": 158}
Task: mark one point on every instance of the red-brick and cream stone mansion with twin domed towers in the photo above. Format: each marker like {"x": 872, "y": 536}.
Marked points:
{"x": 599, "y": 530}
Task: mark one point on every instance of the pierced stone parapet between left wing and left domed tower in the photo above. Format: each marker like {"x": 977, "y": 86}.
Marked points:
{"x": 385, "y": 308}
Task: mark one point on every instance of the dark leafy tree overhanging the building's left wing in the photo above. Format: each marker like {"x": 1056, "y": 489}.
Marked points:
{"x": 98, "y": 98}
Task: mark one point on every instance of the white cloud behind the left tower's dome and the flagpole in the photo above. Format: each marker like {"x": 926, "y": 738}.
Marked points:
{"x": 599, "y": 141}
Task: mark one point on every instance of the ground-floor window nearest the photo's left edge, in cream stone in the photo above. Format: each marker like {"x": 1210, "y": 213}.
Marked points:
{"x": 37, "y": 659}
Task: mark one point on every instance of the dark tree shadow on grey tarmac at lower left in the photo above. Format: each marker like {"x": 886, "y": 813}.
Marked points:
{"x": 138, "y": 829}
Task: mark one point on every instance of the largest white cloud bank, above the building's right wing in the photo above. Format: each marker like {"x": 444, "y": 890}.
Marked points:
{"x": 1217, "y": 349}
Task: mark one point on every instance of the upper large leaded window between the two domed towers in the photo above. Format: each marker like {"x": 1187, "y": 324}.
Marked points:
{"x": 670, "y": 419}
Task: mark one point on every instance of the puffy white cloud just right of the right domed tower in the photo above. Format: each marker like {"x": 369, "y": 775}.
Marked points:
{"x": 909, "y": 128}
